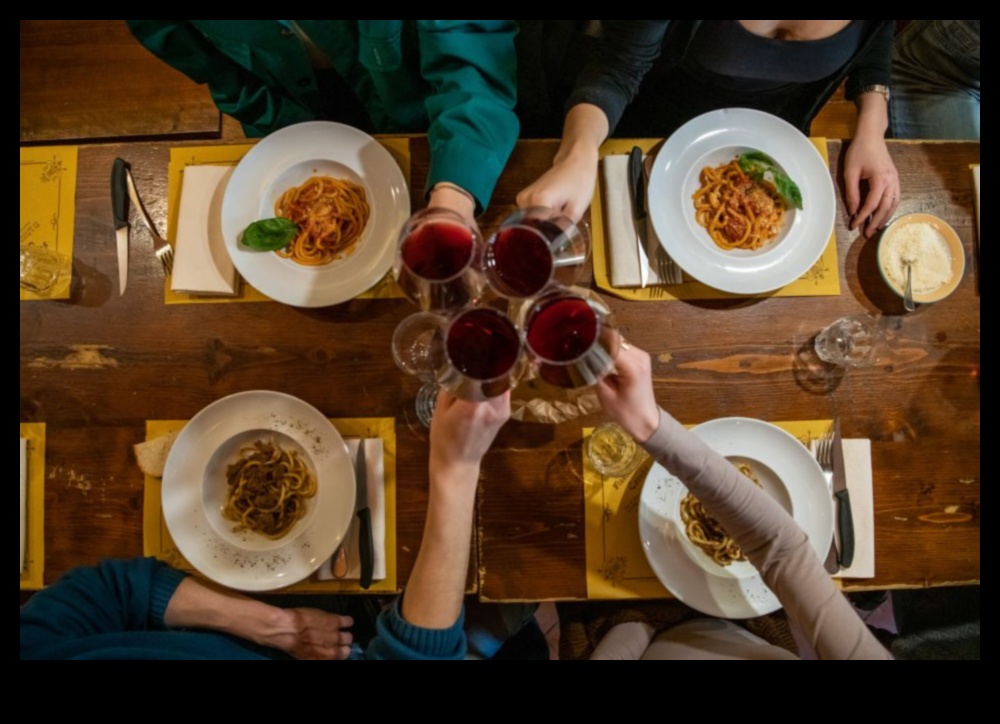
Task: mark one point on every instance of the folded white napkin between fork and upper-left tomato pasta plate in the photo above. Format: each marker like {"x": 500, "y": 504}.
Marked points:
{"x": 201, "y": 263}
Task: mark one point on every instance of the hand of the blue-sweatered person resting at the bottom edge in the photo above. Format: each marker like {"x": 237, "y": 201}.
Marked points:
{"x": 310, "y": 635}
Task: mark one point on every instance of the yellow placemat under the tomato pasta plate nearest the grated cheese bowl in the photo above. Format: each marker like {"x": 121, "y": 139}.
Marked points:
{"x": 823, "y": 280}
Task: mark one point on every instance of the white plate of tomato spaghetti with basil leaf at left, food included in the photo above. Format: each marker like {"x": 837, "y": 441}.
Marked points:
{"x": 311, "y": 214}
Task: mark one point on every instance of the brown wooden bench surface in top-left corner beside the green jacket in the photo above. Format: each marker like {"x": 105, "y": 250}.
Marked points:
{"x": 90, "y": 80}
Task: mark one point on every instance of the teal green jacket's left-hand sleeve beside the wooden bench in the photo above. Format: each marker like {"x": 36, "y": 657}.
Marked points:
{"x": 260, "y": 107}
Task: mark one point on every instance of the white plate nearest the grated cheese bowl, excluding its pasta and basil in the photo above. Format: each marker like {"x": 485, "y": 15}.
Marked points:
{"x": 717, "y": 138}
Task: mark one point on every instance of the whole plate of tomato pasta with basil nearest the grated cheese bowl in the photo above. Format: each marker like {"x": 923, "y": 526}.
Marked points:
{"x": 742, "y": 201}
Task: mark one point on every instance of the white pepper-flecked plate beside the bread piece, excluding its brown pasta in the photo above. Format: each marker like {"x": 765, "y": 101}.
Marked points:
{"x": 247, "y": 562}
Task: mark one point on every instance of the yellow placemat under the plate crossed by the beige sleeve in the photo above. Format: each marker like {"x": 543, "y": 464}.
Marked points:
{"x": 616, "y": 564}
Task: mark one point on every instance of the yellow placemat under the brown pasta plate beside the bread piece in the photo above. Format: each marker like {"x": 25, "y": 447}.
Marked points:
{"x": 158, "y": 543}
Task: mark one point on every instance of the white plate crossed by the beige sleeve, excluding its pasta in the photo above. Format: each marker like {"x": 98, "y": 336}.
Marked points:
{"x": 787, "y": 471}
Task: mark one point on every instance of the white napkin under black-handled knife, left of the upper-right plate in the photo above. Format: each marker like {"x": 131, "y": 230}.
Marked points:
{"x": 622, "y": 251}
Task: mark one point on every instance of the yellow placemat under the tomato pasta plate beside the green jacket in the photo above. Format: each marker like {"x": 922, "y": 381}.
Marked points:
{"x": 180, "y": 158}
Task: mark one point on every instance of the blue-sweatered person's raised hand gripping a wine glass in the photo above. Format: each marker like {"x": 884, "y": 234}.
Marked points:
{"x": 462, "y": 432}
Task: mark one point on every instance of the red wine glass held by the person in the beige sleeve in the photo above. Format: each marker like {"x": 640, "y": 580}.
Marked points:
{"x": 572, "y": 339}
